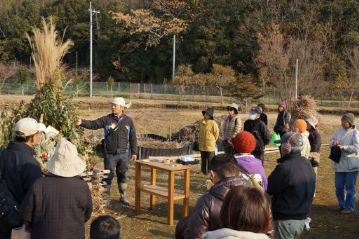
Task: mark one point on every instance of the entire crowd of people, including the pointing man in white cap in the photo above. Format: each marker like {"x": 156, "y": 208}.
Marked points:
{"x": 241, "y": 203}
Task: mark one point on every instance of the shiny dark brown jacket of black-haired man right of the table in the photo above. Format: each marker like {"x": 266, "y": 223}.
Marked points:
{"x": 206, "y": 215}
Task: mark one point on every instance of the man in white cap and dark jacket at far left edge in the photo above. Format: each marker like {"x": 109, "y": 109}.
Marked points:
{"x": 18, "y": 166}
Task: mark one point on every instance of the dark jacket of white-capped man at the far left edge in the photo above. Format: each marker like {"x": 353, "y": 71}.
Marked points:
{"x": 19, "y": 169}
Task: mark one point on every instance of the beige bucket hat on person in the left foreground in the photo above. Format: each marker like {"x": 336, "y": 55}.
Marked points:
{"x": 66, "y": 162}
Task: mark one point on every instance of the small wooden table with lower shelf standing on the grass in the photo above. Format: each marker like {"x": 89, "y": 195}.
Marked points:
{"x": 168, "y": 192}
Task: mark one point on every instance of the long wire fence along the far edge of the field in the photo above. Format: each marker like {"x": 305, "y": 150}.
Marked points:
{"x": 169, "y": 92}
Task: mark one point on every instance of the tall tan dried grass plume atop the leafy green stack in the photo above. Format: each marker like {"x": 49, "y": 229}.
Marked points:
{"x": 48, "y": 51}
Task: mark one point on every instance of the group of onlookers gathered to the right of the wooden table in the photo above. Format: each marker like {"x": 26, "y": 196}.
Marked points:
{"x": 229, "y": 209}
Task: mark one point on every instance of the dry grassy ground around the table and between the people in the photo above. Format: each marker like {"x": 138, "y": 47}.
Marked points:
{"x": 326, "y": 221}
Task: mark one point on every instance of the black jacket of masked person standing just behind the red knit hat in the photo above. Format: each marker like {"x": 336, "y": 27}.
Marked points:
{"x": 260, "y": 132}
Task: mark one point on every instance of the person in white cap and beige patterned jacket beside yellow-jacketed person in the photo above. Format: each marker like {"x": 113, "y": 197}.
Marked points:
{"x": 232, "y": 125}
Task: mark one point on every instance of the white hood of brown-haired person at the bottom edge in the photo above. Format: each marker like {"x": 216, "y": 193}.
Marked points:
{"x": 226, "y": 233}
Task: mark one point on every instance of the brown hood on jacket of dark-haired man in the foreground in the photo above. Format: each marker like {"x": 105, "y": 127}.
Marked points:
{"x": 220, "y": 189}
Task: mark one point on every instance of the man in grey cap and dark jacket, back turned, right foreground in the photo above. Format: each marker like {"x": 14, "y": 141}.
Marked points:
{"x": 292, "y": 185}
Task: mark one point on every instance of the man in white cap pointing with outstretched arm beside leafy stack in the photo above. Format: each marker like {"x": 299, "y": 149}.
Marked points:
{"x": 120, "y": 143}
